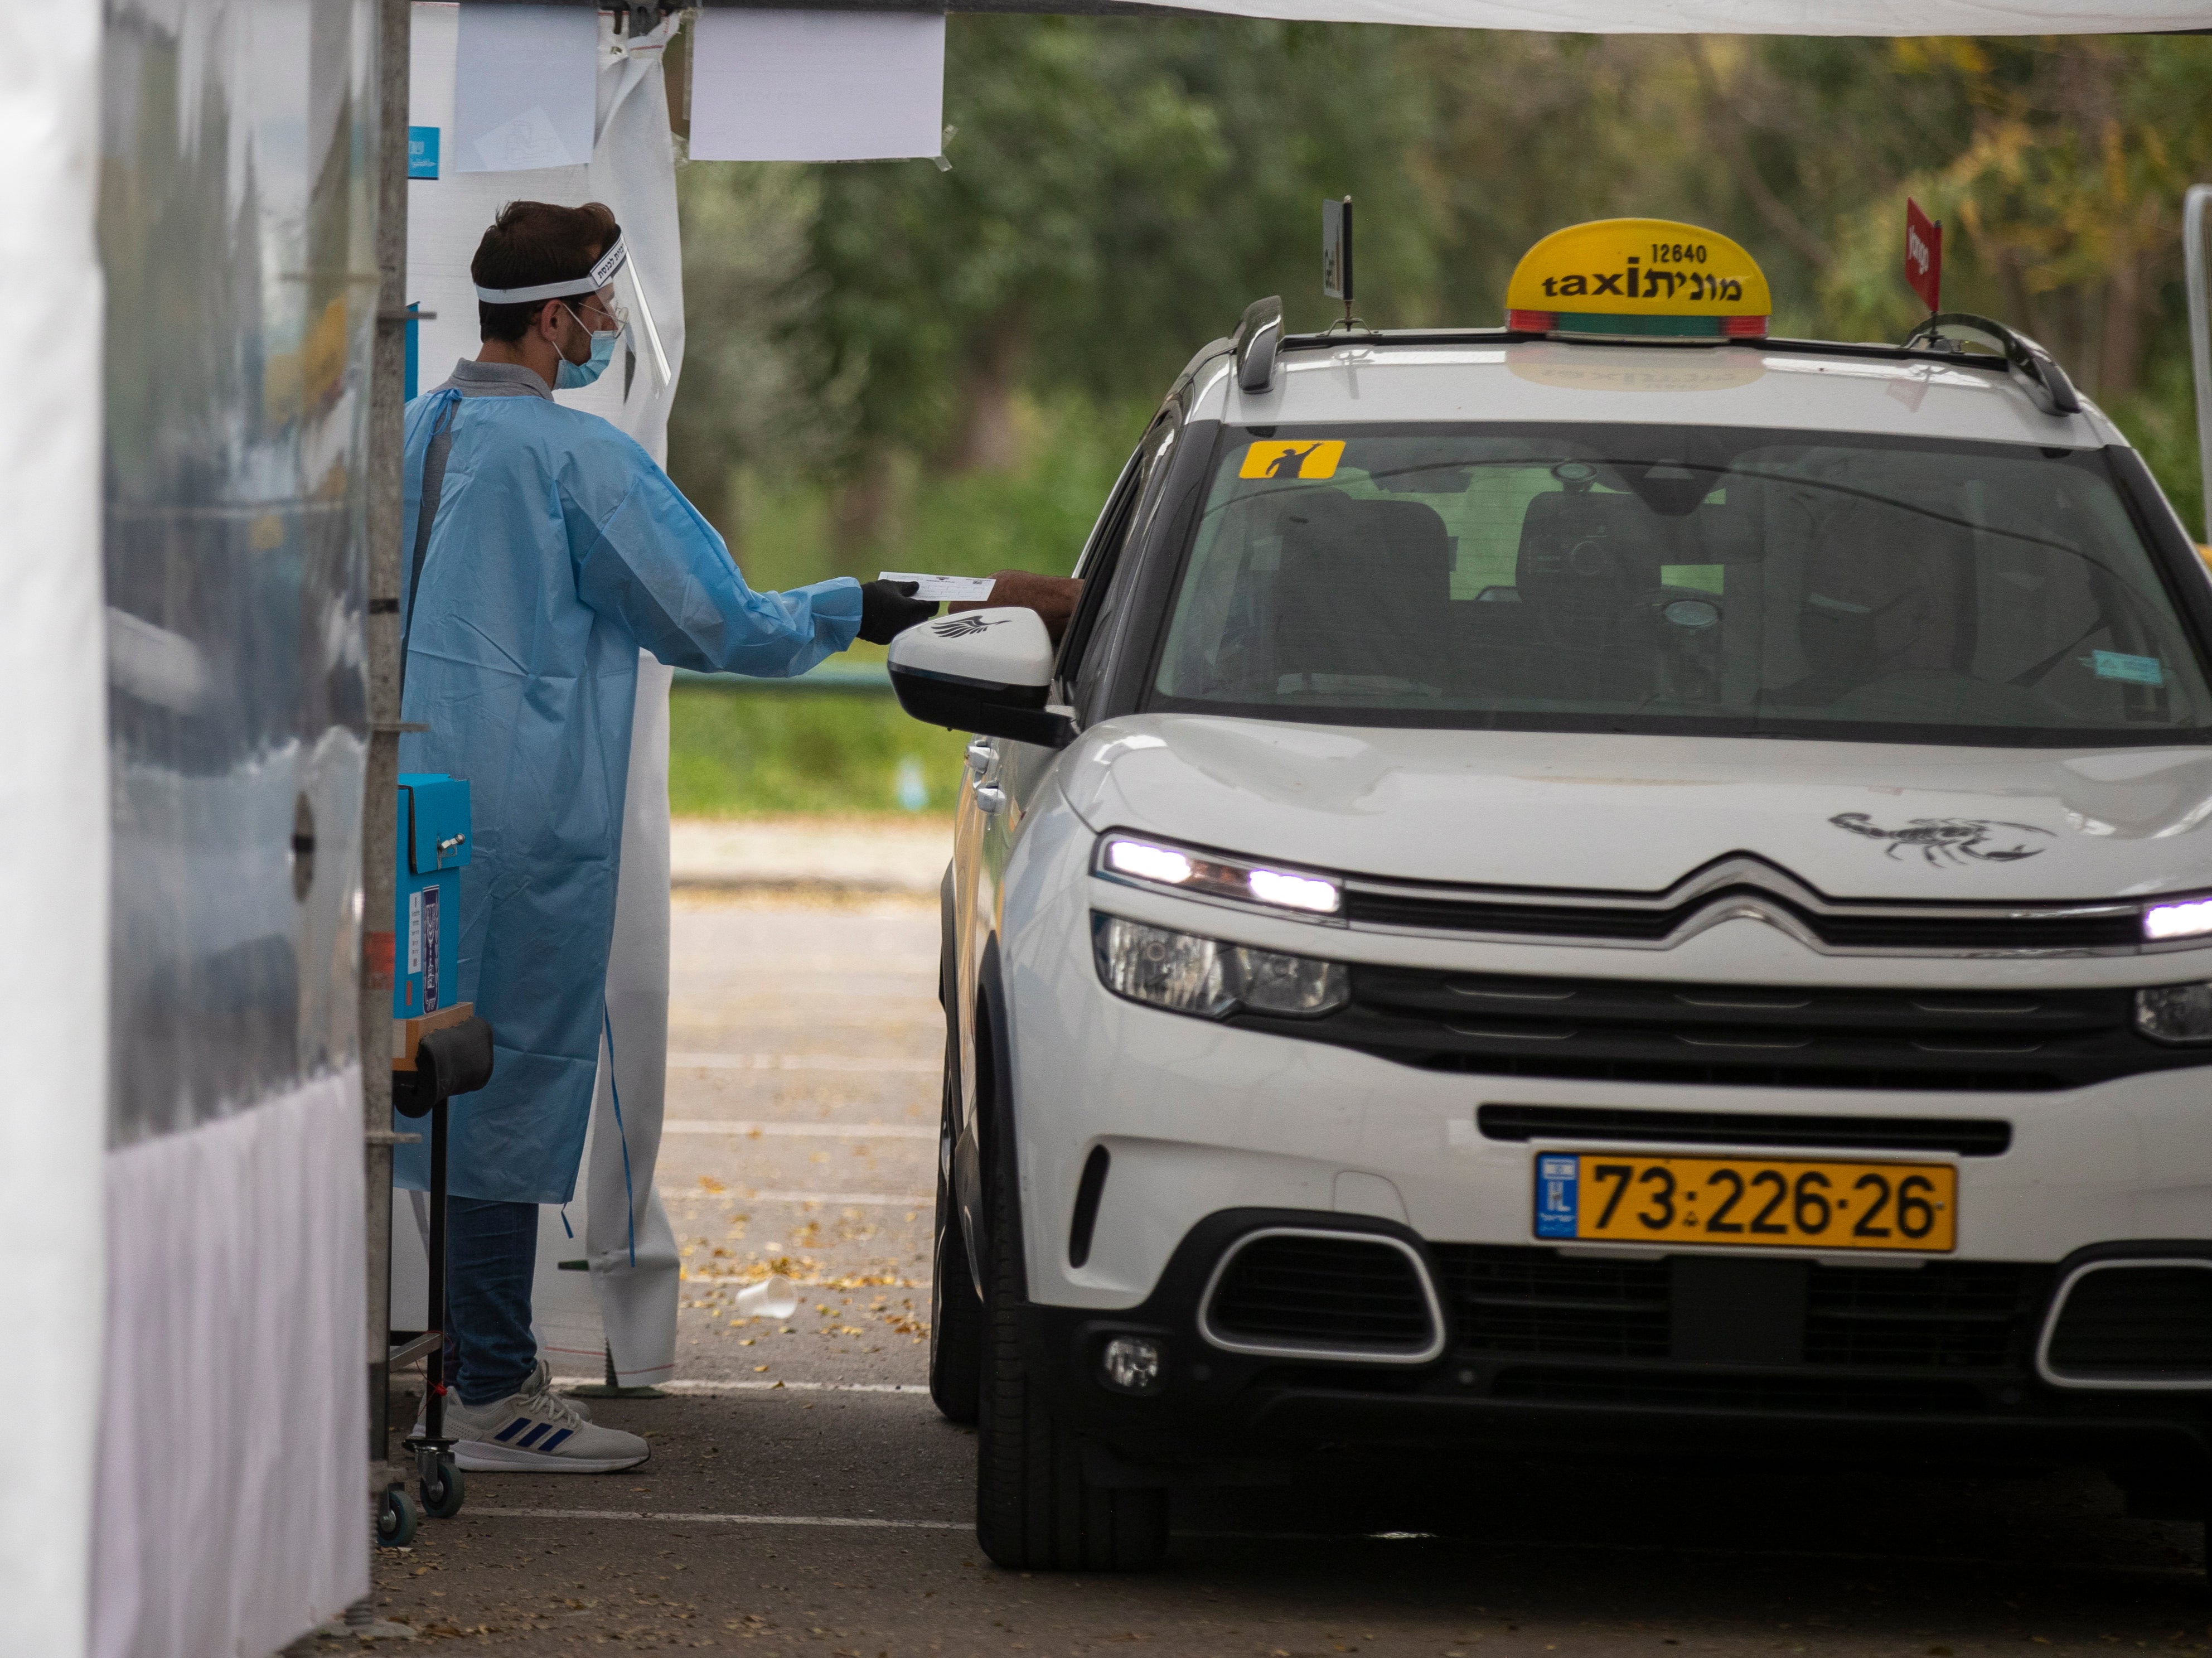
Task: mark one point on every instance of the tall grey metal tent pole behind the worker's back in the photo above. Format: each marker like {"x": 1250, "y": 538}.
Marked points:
{"x": 379, "y": 798}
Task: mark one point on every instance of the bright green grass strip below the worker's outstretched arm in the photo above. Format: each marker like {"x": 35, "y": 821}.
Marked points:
{"x": 751, "y": 754}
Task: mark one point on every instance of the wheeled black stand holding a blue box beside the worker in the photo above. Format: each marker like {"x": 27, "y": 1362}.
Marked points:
{"x": 437, "y": 1053}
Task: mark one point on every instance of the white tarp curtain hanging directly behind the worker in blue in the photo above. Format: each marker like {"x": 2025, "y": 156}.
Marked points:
{"x": 625, "y": 1305}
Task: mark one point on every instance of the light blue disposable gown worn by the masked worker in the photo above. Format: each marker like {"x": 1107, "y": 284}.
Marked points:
{"x": 556, "y": 552}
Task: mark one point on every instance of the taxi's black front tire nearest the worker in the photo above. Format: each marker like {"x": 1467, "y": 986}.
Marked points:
{"x": 1034, "y": 1506}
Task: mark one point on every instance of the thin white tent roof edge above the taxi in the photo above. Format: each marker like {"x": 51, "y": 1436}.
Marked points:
{"x": 1746, "y": 17}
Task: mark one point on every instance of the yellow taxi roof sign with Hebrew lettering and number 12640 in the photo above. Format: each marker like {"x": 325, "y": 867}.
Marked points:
{"x": 1638, "y": 278}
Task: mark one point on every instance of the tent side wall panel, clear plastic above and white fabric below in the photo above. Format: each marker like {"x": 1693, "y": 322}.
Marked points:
{"x": 236, "y": 234}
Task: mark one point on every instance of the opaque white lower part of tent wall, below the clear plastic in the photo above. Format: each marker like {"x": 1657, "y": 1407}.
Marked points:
{"x": 236, "y": 1369}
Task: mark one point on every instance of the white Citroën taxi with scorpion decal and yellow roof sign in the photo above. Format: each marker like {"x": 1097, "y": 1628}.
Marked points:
{"x": 1609, "y": 882}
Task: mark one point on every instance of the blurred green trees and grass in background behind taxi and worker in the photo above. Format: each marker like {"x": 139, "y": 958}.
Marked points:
{"x": 901, "y": 369}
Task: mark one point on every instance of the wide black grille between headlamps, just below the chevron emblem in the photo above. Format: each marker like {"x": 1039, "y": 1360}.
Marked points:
{"x": 1640, "y": 1030}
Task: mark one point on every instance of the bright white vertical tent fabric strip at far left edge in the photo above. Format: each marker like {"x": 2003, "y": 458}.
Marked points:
{"x": 54, "y": 838}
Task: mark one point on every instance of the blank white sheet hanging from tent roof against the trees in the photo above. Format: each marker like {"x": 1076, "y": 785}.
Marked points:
{"x": 817, "y": 85}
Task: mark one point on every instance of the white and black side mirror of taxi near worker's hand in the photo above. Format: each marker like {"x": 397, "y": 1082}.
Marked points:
{"x": 983, "y": 672}
